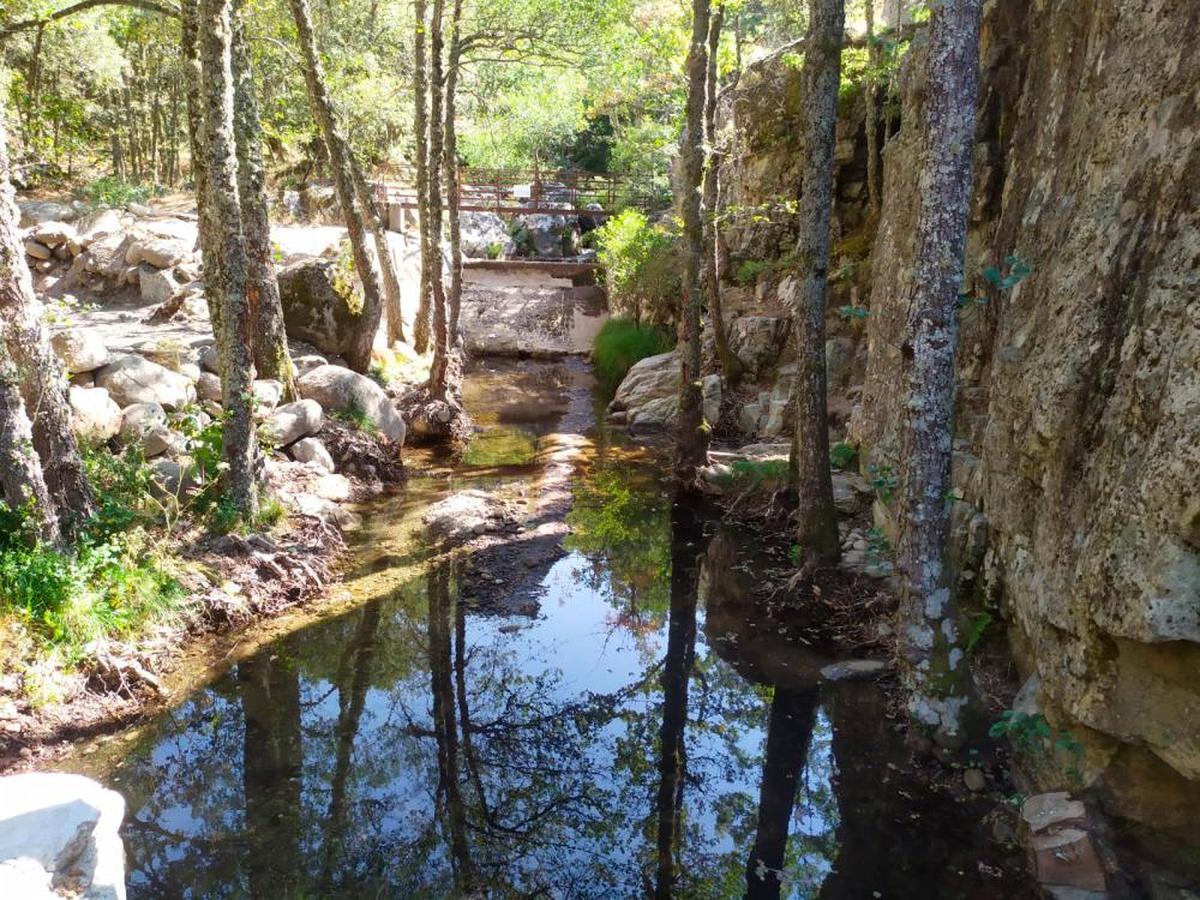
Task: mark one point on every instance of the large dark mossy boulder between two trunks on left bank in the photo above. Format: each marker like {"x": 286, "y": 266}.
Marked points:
{"x": 321, "y": 304}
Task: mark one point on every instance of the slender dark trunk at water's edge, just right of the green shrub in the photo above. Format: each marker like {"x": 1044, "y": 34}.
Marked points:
{"x": 692, "y": 451}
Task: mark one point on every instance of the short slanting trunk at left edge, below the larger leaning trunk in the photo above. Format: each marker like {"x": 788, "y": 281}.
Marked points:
{"x": 21, "y": 472}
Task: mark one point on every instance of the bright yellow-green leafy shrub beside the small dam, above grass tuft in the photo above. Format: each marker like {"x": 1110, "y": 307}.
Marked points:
{"x": 643, "y": 267}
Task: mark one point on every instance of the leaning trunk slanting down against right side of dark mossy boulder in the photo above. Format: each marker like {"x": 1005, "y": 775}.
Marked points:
{"x": 343, "y": 163}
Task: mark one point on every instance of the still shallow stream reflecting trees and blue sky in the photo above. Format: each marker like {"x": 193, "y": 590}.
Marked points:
{"x": 622, "y": 730}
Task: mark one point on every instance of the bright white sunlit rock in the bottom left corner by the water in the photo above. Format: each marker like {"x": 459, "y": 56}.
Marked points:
{"x": 59, "y": 836}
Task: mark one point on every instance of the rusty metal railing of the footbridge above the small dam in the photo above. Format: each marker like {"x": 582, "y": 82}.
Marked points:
{"x": 524, "y": 191}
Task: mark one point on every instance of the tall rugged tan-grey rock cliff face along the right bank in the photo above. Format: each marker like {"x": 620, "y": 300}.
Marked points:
{"x": 1078, "y": 430}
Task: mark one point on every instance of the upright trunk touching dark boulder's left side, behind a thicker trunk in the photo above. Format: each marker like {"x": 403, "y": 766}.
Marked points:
{"x": 272, "y": 357}
